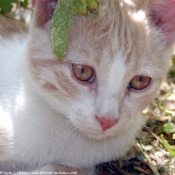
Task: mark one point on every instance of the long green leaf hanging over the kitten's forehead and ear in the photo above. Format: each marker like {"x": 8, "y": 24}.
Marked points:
{"x": 62, "y": 18}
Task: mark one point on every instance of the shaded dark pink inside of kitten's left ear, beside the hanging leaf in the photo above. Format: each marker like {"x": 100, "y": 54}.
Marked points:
{"x": 43, "y": 11}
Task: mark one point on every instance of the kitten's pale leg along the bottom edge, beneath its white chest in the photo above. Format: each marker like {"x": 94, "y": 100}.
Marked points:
{"x": 60, "y": 169}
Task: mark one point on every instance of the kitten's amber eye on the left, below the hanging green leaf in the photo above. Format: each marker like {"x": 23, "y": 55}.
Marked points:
{"x": 82, "y": 72}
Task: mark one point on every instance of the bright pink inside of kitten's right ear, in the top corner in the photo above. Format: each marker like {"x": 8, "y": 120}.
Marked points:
{"x": 163, "y": 16}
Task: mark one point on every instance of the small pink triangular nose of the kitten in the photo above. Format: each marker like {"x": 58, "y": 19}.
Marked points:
{"x": 106, "y": 123}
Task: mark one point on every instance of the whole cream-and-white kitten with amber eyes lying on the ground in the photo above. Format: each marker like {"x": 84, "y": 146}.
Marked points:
{"x": 85, "y": 109}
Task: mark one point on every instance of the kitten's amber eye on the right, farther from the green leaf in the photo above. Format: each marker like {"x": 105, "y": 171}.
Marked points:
{"x": 139, "y": 82}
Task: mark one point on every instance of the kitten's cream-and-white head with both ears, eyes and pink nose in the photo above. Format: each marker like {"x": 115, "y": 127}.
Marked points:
{"x": 113, "y": 66}
